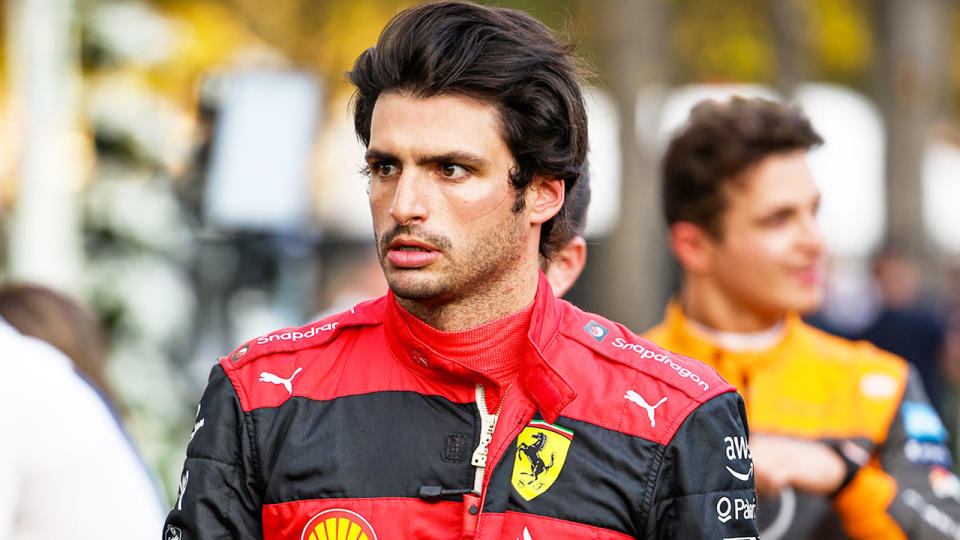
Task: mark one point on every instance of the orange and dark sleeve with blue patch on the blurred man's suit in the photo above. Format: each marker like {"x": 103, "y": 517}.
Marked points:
{"x": 907, "y": 490}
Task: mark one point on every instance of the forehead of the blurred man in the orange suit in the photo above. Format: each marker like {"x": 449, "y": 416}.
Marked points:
{"x": 776, "y": 181}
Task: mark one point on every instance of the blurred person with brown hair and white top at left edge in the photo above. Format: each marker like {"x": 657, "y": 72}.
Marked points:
{"x": 67, "y": 468}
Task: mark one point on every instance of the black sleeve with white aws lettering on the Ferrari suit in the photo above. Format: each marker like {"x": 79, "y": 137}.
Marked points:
{"x": 705, "y": 486}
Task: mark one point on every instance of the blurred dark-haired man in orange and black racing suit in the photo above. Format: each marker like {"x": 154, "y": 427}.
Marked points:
{"x": 844, "y": 441}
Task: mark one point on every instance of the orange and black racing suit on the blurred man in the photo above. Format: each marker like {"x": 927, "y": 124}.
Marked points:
{"x": 867, "y": 404}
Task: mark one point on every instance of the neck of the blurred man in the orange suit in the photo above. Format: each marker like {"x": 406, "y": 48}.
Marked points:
{"x": 708, "y": 305}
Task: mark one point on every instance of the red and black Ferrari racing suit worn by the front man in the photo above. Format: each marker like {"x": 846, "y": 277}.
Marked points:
{"x": 352, "y": 428}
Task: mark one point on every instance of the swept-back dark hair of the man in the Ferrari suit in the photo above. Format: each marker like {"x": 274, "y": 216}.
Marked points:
{"x": 500, "y": 56}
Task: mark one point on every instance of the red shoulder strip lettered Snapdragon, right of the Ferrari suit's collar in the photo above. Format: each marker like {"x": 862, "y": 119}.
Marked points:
{"x": 631, "y": 353}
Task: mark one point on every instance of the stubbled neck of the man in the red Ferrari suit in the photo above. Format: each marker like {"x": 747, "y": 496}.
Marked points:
{"x": 481, "y": 304}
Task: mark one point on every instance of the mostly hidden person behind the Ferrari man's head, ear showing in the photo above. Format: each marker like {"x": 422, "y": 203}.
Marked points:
{"x": 565, "y": 266}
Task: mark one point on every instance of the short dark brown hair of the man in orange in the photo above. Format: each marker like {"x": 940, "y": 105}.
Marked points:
{"x": 720, "y": 141}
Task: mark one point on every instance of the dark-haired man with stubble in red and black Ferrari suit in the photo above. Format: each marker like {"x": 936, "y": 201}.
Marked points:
{"x": 468, "y": 402}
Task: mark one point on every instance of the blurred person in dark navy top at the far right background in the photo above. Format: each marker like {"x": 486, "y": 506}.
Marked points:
{"x": 904, "y": 325}
